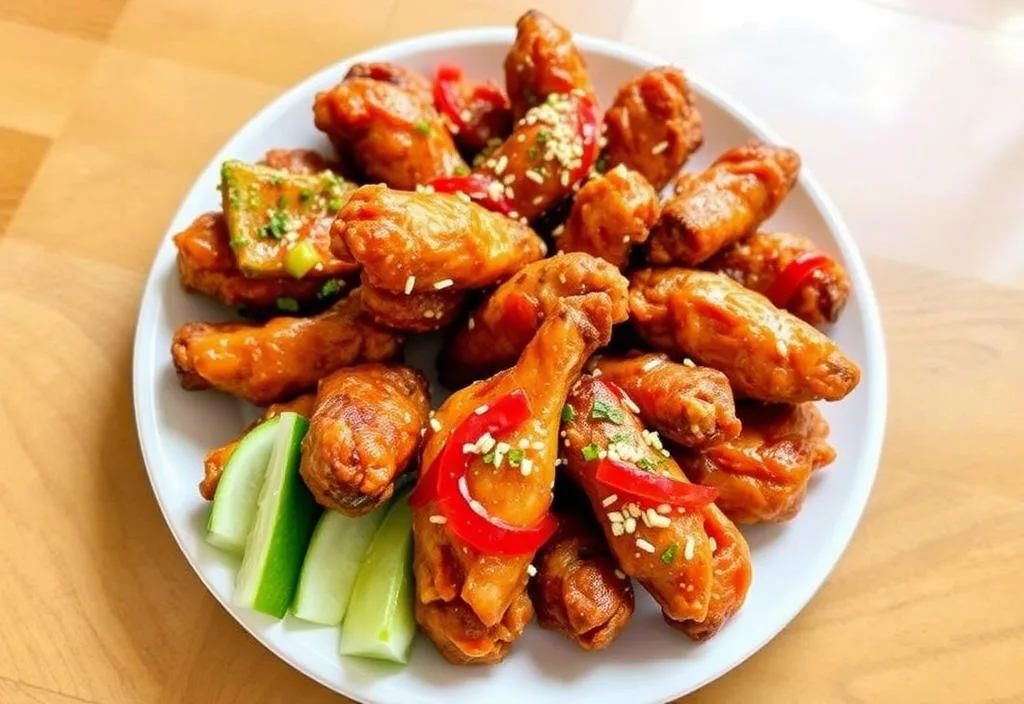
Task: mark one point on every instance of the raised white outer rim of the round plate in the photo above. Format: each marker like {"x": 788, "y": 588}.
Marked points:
{"x": 876, "y": 358}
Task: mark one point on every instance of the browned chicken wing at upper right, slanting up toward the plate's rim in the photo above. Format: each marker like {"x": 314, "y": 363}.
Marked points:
{"x": 726, "y": 203}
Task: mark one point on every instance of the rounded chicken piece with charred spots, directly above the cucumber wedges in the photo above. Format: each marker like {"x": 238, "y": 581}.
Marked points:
{"x": 363, "y": 434}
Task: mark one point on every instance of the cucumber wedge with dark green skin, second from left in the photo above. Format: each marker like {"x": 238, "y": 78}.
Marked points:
{"x": 286, "y": 515}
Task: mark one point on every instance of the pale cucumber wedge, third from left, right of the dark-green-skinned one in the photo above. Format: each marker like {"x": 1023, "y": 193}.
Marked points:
{"x": 332, "y": 565}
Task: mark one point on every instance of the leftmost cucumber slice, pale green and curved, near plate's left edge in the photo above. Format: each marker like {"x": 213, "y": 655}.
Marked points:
{"x": 235, "y": 504}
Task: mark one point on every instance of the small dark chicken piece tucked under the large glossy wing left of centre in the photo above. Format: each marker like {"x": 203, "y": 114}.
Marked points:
{"x": 418, "y": 313}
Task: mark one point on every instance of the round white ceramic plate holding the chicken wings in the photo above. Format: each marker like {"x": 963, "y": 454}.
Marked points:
{"x": 650, "y": 663}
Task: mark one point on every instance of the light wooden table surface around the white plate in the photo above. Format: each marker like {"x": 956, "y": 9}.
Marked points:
{"x": 911, "y": 113}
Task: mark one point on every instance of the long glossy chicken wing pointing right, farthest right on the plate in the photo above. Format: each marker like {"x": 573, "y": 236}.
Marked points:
{"x": 769, "y": 355}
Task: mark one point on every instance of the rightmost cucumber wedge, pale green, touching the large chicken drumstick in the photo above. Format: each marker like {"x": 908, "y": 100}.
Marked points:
{"x": 379, "y": 623}
